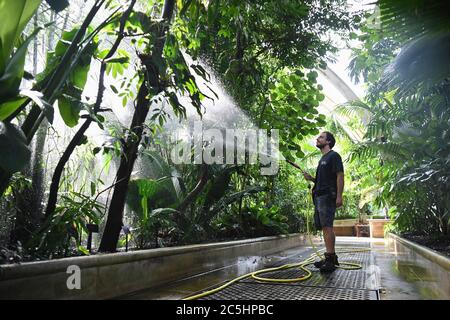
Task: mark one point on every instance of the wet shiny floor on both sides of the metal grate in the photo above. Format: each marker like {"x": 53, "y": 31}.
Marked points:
{"x": 399, "y": 273}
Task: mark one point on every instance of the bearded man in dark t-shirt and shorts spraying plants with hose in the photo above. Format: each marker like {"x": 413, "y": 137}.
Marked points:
{"x": 327, "y": 195}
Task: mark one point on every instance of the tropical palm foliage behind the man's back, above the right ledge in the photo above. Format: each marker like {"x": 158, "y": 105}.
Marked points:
{"x": 407, "y": 112}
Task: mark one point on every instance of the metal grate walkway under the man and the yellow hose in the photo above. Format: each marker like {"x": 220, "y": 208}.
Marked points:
{"x": 339, "y": 285}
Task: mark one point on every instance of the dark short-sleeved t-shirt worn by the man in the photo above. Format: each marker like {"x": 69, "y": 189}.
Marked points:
{"x": 326, "y": 174}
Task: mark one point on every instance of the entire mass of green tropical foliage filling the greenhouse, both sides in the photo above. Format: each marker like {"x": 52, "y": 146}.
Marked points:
{"x": 87, "y": 106}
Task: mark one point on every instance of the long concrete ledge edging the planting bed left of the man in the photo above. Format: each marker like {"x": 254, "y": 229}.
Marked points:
{"x": 106, "y": 276}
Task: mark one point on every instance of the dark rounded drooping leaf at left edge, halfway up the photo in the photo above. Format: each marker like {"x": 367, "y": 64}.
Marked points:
{"x": 14, "y": 150}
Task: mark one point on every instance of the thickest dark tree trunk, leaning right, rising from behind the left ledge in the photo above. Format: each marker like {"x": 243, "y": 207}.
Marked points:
{"x": 130, "y": 147}
